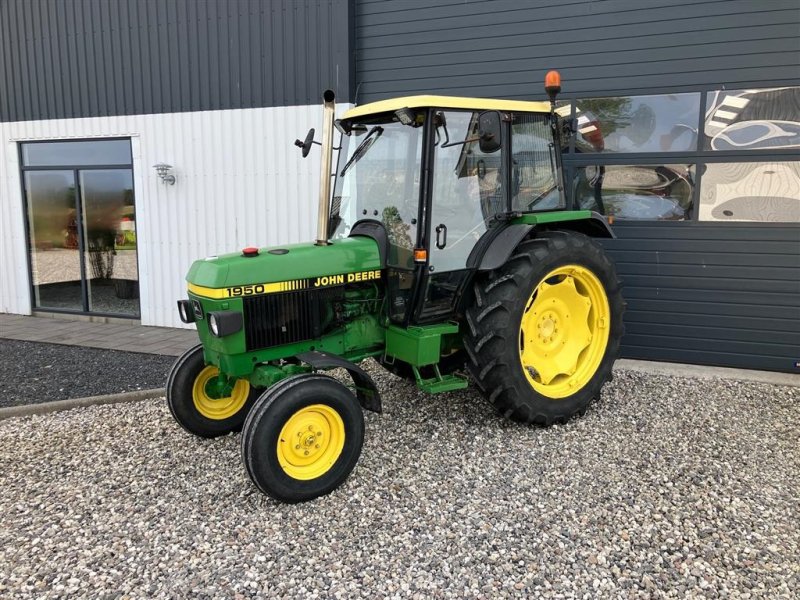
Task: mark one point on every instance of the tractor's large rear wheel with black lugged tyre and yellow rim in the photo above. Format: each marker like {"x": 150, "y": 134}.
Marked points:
{"x": 503, "y": 318}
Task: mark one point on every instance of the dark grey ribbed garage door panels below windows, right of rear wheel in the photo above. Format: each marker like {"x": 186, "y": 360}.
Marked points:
{"x": 711, "y": 293}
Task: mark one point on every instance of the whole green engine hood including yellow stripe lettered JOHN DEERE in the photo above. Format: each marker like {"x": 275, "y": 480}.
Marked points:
{"x": 283, "y": 268}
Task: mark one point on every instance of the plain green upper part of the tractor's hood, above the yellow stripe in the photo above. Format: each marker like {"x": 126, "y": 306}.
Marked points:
{"x": 302, "y": 261}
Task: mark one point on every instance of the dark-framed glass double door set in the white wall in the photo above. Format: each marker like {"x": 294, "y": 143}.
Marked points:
{"x": 81, "y": 226}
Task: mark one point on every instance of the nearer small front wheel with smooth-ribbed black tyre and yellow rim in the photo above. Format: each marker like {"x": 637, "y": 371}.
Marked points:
{"x": 272, "y": 462}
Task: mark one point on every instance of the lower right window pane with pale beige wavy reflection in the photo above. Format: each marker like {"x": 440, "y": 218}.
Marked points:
{"x": 761, "y": 192}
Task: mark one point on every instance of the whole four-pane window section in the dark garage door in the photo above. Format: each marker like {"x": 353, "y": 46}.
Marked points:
{"x": 658, "y": 157}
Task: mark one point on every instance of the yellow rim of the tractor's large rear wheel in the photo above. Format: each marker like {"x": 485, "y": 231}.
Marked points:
{"x": 564, "y": 331}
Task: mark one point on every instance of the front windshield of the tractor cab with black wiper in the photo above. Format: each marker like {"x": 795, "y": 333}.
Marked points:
{"x": 378, "y": 178}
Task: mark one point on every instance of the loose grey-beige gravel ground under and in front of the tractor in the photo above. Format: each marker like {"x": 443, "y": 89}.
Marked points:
{"x": 666, "y": 488}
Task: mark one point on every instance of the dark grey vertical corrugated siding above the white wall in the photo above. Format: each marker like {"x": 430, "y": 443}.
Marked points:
{"x": 84, "y": 58}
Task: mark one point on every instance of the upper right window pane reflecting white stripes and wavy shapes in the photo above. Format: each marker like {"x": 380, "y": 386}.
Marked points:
{"x": 753, "y": 119}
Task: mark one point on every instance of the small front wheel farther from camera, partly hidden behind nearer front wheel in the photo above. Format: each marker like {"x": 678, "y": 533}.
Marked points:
{"x": 203, "y": 402}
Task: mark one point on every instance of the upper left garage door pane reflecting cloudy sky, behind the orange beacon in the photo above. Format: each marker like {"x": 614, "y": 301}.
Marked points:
{"x": 664, "y": 123}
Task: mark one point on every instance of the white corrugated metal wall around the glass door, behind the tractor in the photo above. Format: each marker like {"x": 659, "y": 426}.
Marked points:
{"x": 240, "y": 182}
